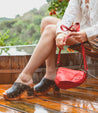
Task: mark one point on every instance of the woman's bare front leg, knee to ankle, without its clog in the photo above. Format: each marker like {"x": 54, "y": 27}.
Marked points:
{"x": 40, "y": 54}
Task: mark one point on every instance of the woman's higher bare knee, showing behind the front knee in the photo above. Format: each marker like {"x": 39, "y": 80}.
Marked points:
{"x": 48, "y": 21}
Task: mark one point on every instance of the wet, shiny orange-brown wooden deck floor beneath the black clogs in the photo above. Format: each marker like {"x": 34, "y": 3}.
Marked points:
{"x": 83, "y": 99}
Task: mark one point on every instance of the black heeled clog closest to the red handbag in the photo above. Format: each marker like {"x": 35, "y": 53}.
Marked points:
{"x": 43, "y": 87}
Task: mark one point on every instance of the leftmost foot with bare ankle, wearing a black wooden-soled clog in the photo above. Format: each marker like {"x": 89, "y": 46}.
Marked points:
{"x": 21, "y": 84}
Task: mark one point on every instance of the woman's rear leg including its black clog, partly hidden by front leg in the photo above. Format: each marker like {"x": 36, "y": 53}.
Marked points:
{"x": 48, "y": 81}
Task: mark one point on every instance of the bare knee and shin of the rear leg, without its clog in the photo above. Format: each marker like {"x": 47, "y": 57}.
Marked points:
{"x": 50, "y": 61}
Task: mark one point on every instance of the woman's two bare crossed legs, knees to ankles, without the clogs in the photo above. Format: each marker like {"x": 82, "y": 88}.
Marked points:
{"x": 44, "y": 50}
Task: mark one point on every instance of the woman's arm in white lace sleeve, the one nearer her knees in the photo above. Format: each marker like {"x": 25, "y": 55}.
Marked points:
{"x": 72, "y": 13}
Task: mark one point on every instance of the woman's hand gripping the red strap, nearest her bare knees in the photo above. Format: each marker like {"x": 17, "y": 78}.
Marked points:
{"x": 60, "y": 43}
